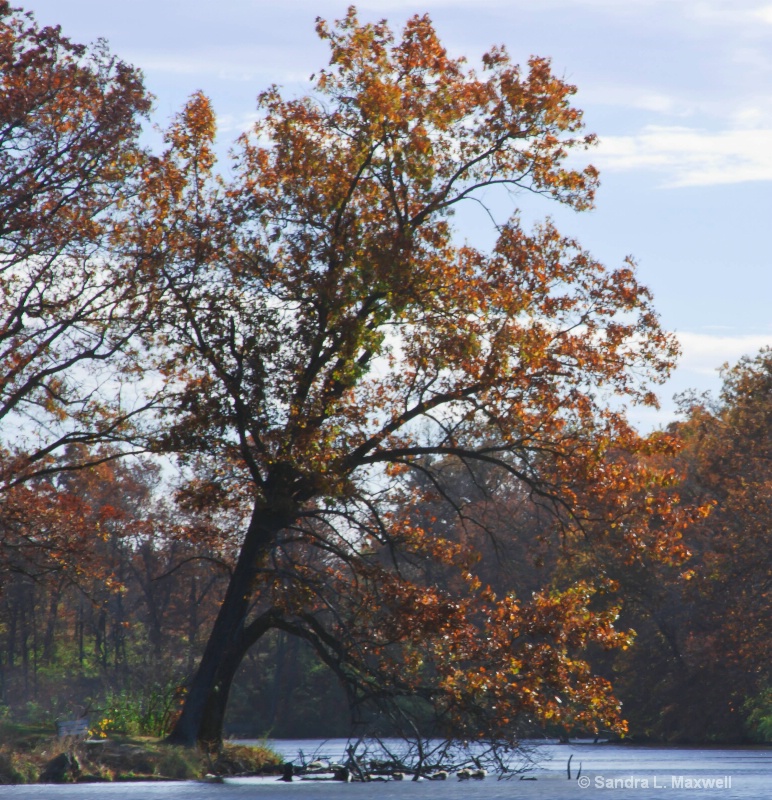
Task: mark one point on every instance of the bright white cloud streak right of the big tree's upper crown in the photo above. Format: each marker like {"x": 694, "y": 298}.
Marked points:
{"x": 691, "y": 157}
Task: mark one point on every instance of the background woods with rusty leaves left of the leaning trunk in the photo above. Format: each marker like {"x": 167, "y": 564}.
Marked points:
{"x": 105, "y": 584}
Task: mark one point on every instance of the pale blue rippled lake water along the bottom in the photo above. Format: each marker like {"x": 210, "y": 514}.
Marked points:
{"x": 610, "y": 772}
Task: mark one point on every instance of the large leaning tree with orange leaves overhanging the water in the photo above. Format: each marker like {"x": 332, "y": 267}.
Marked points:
{"x": 323, "y": 333}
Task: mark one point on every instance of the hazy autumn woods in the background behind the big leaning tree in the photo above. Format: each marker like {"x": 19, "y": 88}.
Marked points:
{"x": 114, "y": 620}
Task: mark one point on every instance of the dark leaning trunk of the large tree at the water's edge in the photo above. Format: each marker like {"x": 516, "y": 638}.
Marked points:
{"x": 204, "y": 707}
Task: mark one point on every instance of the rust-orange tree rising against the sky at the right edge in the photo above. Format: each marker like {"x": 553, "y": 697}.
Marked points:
{"x": 729, "y": 448}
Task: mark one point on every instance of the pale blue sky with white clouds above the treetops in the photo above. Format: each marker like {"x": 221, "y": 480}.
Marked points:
{"x": 679, "y": 93}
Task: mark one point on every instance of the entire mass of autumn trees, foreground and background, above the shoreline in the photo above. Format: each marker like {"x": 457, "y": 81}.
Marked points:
{"x": 282, "y": 454}
